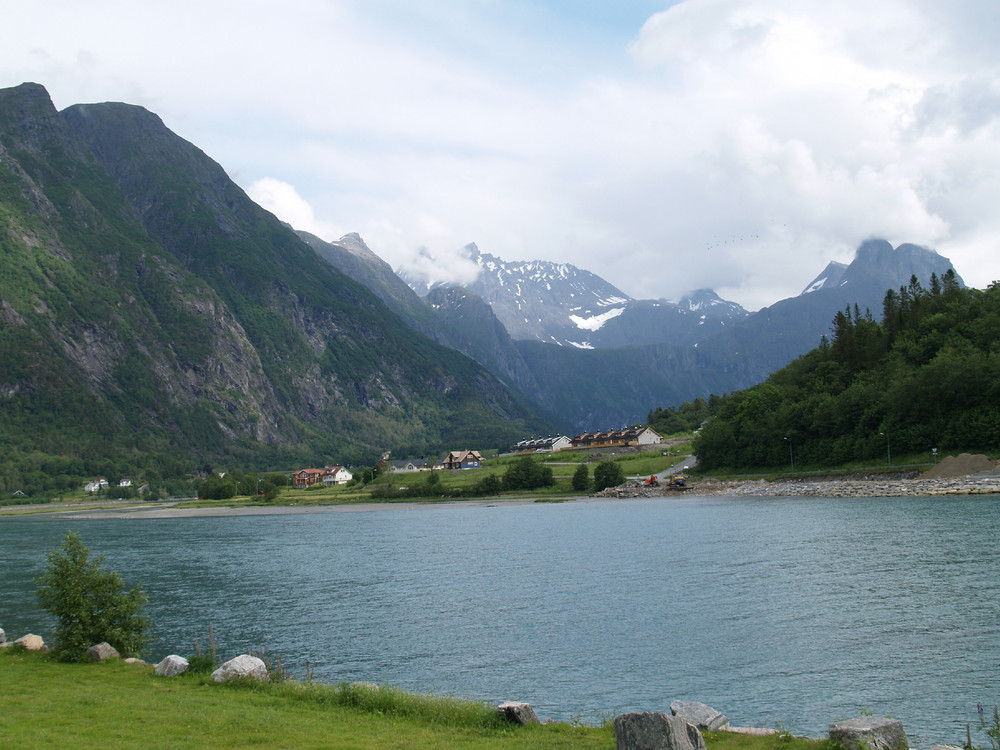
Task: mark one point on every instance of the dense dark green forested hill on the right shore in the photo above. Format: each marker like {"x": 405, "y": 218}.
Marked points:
{"x": 927, "y": 376}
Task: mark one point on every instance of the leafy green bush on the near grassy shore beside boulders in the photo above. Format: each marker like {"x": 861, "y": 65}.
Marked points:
{"x": 90, "y": 604}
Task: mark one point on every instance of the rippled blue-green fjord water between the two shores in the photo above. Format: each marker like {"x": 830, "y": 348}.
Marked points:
{"x": 791, "y": 612}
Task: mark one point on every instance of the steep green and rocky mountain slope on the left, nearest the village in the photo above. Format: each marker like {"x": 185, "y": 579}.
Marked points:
{"x": 148, "y": 307}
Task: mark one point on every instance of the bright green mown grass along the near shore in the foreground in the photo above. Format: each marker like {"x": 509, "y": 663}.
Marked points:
{"x": 118, "y": 706}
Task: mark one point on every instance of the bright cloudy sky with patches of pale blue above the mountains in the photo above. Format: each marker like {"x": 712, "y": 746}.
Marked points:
{"x": 666, "y": 146}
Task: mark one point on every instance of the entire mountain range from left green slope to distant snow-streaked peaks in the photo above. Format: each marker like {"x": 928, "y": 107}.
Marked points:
{"x": 148, "y": 308}
